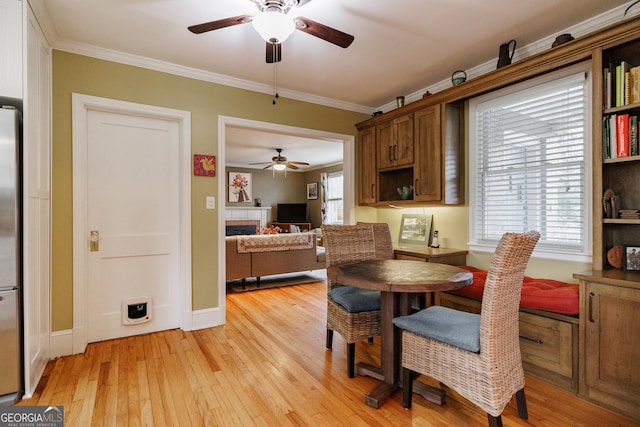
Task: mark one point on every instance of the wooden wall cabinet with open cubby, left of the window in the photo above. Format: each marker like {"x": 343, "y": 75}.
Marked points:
{"x": 421, "y": 148}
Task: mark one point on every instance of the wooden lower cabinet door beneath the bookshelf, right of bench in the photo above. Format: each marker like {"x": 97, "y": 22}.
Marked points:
{"x": 612, "y": 348}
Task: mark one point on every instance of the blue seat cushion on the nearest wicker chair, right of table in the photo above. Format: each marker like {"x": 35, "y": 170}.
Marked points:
{"x": 457, "y": 328}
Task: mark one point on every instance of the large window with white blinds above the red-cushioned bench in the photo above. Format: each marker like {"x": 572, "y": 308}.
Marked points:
{"x": 529, "y": 150}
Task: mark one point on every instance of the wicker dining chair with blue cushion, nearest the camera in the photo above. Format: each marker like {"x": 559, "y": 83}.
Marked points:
{"x": 477, "y": 355}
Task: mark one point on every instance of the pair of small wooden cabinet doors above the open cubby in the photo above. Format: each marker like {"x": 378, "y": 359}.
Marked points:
{"x": 394, "y": 142}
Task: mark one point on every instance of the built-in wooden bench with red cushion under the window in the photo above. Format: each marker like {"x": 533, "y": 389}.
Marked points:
{"x": 549, "y": 326}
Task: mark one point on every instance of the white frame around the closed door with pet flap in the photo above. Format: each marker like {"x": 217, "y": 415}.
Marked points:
{"x": 82, "y": 104}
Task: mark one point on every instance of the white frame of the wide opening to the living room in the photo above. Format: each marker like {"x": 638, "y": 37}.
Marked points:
{"x": 348, "y": 180}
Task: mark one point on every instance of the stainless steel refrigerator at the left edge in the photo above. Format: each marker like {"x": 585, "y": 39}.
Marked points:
{"x": 11, "y": 382}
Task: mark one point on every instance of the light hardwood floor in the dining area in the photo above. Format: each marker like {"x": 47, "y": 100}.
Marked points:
{"x": 267, "y": 366}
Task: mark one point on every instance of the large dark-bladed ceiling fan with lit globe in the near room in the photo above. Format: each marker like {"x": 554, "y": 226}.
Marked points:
{"x": 274, "y": 25}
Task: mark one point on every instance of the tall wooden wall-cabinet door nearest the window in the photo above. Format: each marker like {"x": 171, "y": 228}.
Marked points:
{"x": 427, "y": 168}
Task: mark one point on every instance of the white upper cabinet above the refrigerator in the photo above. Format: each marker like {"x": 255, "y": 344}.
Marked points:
{"x": 11, "y": 49}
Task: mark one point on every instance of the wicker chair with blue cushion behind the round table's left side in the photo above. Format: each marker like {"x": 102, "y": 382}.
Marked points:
{"x": 352, "y": 312}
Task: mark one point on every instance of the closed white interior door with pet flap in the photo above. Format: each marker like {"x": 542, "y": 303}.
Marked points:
{"x": 133, "y": 208}
